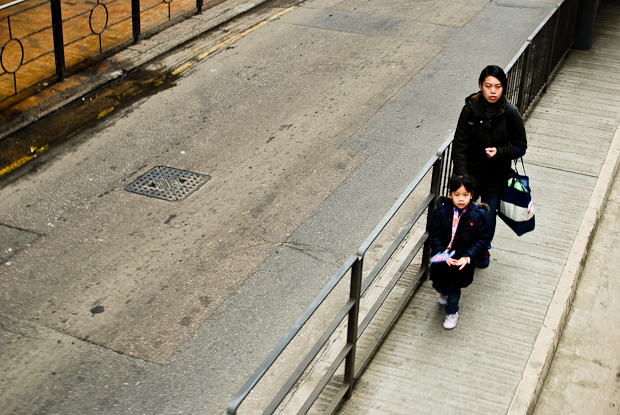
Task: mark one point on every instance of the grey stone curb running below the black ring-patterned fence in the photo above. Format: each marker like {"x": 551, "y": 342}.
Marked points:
{"x": 62, "y": 93}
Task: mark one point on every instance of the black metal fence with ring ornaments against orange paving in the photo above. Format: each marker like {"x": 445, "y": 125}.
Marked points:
{"x": 42, "y": 39}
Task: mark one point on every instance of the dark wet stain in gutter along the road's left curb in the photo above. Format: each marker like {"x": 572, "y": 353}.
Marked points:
{"x": 88, "y": 112}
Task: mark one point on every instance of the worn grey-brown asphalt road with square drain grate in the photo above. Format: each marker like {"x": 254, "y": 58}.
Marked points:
{"x": 309, "y": 126}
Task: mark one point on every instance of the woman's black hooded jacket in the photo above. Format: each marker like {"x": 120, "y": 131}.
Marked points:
{"x": 475, "y": 132}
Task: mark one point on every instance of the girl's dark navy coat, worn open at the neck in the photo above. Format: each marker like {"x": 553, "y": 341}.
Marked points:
{"x": 471, "y": 238}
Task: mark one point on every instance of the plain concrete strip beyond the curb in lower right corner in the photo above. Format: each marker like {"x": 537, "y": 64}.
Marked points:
{"x": 583, "y": 377}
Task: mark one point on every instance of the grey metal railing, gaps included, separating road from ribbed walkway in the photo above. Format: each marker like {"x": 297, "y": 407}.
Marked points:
{"x": 365, "y": 310}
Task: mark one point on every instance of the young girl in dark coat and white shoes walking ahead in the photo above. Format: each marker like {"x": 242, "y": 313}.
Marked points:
{"x": 457, "y": 234}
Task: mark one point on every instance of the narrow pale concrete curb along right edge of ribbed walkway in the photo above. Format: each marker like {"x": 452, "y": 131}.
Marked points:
{"x": 537, "y": 367}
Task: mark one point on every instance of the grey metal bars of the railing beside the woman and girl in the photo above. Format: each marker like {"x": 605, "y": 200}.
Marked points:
{"x": 523, "y": 72}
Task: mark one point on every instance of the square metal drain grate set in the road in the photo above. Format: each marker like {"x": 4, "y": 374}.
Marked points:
{"x": 167, "y": 183}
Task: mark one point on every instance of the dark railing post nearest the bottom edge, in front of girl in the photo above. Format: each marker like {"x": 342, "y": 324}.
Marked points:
{"x": 356, "y": 287}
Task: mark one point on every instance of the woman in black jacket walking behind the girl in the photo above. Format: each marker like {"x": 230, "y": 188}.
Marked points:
{"x": 489, "y": 135}
